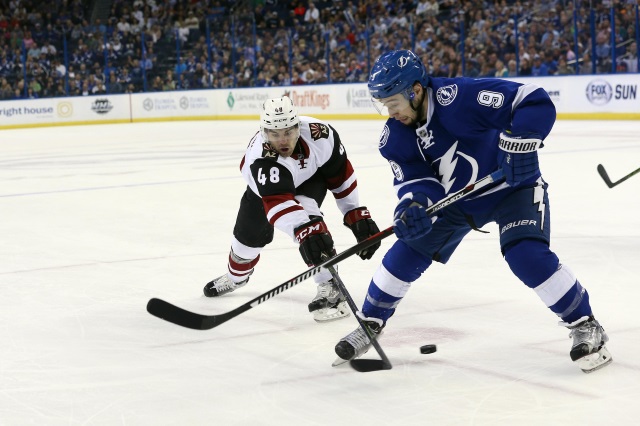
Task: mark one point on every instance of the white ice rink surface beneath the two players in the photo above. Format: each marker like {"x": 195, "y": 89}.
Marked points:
{"x": 96, "y": 220}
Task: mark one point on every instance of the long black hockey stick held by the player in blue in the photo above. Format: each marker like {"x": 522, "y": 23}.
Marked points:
{"x": 184, "y": 318}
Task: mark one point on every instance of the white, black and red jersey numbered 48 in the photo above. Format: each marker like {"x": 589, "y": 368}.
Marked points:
{"x": 275, "y": 179}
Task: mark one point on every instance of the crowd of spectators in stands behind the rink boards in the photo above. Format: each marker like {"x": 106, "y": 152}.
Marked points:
{"x": 51, "y": 49}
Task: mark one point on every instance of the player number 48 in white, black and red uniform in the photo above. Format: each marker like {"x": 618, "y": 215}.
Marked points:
{"x": 289, "y": 166}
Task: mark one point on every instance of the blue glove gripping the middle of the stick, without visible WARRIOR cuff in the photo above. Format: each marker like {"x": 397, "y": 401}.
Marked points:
{"x": 410, "y": 219}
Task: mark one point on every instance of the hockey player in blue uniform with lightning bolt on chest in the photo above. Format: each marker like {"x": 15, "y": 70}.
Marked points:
{"x": 443, "y": 134}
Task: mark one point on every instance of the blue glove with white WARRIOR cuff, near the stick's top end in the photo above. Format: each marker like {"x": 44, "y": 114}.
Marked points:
{"x": 518, "y": 157}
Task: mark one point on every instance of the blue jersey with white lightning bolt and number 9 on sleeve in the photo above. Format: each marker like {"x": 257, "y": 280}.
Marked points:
{"x": 459, "y": 142}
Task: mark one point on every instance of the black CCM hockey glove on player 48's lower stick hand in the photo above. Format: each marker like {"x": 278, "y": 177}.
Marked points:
{"x": 315, "y": 241}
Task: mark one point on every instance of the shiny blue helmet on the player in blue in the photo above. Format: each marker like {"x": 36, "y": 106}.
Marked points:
{"x": 396, "y": 72}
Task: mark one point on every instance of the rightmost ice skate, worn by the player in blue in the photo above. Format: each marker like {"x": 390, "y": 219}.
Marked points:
{"x": 588, "y": 350}
